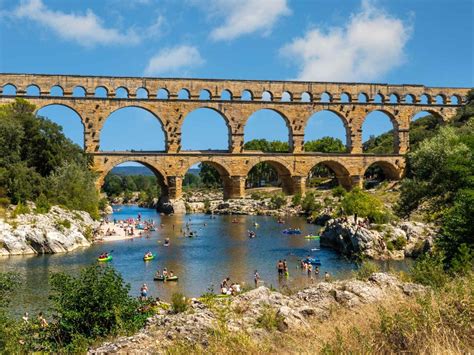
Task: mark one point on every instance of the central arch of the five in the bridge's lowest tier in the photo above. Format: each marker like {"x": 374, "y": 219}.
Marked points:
{"x": 283, "y": 174}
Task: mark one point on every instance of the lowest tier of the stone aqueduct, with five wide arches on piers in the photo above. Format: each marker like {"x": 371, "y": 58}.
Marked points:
{"x": 293, "y": 171}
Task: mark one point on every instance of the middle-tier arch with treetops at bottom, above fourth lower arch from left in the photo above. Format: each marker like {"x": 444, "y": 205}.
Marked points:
{"x": 327, "y": 123}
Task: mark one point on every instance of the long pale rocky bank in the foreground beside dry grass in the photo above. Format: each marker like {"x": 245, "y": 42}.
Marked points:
{"x": 256, "y": 313}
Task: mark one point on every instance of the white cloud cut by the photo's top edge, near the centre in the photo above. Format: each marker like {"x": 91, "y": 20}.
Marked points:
{"x": 242, "y": 17}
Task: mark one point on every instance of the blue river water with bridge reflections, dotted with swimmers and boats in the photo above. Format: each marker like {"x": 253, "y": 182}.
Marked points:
{"x": 221, "y": 249}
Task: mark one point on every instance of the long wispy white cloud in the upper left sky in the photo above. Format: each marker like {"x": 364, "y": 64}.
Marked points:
{"x": 86, "y": 29}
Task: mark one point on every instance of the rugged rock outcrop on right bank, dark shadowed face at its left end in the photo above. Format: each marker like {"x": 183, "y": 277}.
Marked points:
{"x": 384, "y": 241}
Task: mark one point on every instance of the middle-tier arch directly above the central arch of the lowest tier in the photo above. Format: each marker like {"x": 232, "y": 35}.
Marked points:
{"x": 260, "y": 121}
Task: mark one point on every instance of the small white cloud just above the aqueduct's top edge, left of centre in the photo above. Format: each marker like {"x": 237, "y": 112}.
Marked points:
{"x": 173, "y": 60}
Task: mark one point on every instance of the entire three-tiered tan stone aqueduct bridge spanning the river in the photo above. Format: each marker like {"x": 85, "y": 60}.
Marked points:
{"x": 302, "y": 100}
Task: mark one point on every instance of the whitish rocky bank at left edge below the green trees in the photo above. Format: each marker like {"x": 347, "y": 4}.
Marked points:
{"x": 57, "y": 231}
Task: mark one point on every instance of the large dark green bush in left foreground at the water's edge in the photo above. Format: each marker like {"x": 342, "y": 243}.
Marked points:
{"x": 93, "y": 305}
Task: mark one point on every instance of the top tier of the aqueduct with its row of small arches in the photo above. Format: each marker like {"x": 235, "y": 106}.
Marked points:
{"x": 235, "y": 90}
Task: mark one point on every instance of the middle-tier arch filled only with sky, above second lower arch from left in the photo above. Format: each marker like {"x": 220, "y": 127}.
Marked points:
{"x": 205, "y": 122}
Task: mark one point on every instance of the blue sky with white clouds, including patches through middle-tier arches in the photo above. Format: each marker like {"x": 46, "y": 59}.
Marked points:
{"x": 404, "y": 41}
